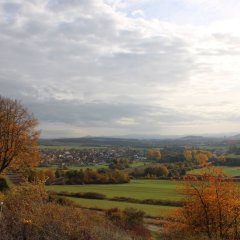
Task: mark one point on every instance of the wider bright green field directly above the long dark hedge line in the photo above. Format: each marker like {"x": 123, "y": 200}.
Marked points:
{"x": 138, "y": 189}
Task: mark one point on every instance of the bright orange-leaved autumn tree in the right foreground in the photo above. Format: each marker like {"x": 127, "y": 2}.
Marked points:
{"x": 211, "y": 209}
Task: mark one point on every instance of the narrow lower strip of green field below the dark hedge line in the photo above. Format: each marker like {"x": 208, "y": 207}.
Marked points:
{"x": 150, "y": 210}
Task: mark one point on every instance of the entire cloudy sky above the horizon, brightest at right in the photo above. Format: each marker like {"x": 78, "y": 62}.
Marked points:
{"x": 123, "y": 67}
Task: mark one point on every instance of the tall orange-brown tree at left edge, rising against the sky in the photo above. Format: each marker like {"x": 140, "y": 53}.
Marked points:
{"x": 18, "y": 136}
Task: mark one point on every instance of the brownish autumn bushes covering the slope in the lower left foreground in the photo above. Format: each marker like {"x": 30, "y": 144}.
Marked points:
{"x": 28, "y": 214}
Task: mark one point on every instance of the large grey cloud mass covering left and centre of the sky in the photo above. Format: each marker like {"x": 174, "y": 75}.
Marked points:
{"x": 81, "y": 63}
